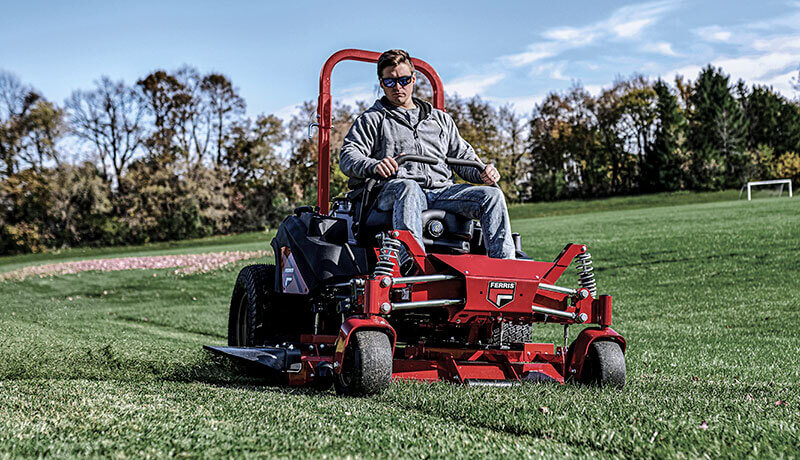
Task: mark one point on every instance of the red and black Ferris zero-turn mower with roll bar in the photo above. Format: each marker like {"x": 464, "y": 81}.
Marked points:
{"x": 354, "y": 302}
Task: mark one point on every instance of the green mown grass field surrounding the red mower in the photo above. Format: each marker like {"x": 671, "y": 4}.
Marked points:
{"x": 707, "y": 295}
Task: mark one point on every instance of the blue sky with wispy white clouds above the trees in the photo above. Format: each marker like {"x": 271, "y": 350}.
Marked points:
{"x": 504, "y": 51}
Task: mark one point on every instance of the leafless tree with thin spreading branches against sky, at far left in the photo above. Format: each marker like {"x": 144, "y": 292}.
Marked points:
{"x": 109, "y": 119}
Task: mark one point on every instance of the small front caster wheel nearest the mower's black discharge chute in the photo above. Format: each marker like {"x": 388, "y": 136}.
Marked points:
{"x": 367, "y": 366}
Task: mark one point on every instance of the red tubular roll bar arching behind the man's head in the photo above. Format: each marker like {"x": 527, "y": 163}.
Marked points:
{"x": 324, "y": 107}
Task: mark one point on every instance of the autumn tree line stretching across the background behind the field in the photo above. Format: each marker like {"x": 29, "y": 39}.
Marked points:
{"x": 175, "y": 156}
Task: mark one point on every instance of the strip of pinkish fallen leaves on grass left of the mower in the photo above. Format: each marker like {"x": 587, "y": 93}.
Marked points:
{"x": 186, "y": 263}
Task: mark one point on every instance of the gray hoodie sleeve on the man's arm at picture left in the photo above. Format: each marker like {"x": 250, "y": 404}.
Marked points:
{"x": 354, "y": 158}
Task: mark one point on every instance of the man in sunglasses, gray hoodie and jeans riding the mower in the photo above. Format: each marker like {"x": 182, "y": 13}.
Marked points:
{"x": 399, "y": 124}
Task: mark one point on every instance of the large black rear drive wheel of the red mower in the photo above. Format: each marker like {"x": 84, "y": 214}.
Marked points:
{"x": 258, "y": 314}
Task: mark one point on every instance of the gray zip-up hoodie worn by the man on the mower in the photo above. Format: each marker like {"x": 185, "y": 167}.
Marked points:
{"x": 383, "y": 131}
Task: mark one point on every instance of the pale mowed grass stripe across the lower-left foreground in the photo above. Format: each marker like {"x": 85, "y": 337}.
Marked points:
{"x": 172, "y": 419}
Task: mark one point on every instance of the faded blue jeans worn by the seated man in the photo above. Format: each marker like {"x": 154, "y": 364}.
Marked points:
{"x": 406, "y": 199}
